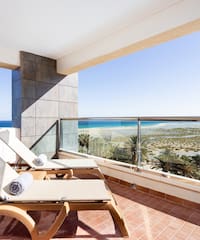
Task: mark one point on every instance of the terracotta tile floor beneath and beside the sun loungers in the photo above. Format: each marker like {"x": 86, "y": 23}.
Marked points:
{"x": 148, "y": 218}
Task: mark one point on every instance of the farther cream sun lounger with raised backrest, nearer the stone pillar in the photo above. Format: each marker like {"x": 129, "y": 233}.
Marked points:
{"x": 52, "y": 166}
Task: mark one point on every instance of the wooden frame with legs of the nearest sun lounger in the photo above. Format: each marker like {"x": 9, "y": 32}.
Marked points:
{"x": 19, "y": 211}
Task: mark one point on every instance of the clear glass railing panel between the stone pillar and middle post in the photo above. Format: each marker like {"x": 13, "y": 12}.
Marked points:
{"x": 109, "y": 138}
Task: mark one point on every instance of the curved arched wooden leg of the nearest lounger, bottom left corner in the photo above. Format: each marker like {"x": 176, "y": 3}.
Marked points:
{"x": 22, "y": 216}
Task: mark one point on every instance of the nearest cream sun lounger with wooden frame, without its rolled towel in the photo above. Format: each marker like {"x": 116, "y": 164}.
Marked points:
{"x": 55, "y": 195}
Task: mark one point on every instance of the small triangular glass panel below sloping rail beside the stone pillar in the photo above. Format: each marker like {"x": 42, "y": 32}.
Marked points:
{"x": 47, "y": 144}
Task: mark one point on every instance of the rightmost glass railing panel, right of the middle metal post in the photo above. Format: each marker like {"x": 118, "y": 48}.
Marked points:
{"x": 171, "y": 146}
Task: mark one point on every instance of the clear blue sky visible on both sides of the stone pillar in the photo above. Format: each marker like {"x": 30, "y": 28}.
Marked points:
{"x": 160, "y": 81}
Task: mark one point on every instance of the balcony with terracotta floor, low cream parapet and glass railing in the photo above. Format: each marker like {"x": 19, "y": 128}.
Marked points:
{"x": 157, "y": 201}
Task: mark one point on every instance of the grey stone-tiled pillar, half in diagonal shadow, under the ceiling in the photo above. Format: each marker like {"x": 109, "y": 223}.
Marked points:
{"x": 41, "y": 96}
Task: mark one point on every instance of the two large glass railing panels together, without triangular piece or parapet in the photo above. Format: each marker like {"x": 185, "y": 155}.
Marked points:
{"x": 170, "y": 145}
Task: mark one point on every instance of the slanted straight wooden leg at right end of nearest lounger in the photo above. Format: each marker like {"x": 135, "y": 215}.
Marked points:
{"x": 118, "y": 219}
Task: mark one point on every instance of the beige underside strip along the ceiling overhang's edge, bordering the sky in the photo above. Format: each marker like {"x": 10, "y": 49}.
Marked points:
{"x": 65, "y": 65}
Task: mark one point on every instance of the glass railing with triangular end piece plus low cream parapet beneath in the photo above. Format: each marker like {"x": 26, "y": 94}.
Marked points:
{"x": 159, "y": 154}
